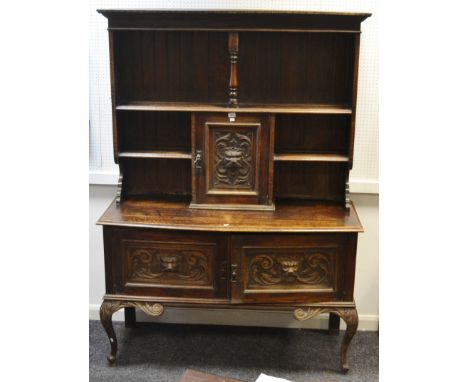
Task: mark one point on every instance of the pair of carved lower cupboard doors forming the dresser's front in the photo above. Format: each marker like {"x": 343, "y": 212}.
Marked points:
{"x": 280, "y": 268}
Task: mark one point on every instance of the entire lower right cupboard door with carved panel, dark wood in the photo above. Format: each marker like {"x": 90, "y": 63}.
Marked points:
{"x": 290, "y": 268}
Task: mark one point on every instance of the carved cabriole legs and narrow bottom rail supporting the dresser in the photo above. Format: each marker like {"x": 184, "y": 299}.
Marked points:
{"x": 344, "y": 310}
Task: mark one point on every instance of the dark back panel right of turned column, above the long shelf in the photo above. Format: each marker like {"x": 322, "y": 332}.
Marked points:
{"x": 300, "y": 68}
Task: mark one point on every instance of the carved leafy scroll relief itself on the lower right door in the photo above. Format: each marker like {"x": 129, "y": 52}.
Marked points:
{"x": 309, "y": 269}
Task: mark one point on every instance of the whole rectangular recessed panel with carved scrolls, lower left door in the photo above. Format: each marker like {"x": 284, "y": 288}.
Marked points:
{"x": 169, "y": 263}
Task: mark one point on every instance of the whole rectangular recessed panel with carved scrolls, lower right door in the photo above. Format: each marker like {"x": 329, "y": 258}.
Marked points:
{"x": 298, "y": 268}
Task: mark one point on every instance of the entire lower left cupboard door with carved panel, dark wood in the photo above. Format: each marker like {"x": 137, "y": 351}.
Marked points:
{"x": 161, "y": 263}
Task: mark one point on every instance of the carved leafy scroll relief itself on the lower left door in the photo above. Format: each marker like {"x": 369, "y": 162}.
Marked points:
{"x": 154, "y": 265}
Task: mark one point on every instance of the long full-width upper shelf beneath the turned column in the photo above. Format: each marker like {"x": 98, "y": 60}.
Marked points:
{"x": 243, "y": 108}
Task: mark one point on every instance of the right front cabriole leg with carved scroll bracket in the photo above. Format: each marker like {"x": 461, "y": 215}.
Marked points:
{"x": 349, "y": 316}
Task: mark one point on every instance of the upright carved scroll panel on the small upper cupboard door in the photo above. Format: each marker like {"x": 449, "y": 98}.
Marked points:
{"x": 233, "y": 159}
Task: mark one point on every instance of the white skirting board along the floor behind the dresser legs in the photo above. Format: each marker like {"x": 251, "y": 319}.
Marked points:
{"x": 239, "y": 317}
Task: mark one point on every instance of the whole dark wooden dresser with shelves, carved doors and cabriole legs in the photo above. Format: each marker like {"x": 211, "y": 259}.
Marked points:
{"x": 249, "y": 118}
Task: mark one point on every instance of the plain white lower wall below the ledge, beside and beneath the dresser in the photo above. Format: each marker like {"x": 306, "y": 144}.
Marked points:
{"x": 366, "y": 289}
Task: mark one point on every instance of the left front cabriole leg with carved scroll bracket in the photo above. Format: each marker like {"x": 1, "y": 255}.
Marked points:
{"x": 109, "y": 307}
